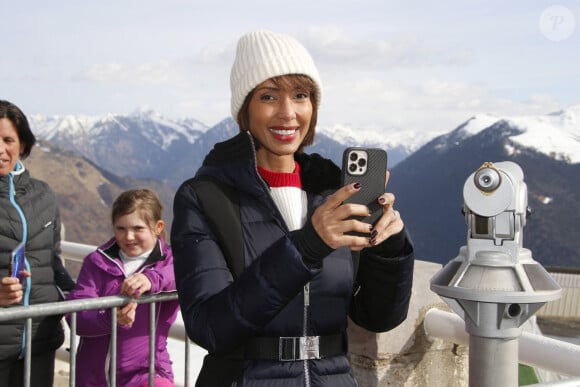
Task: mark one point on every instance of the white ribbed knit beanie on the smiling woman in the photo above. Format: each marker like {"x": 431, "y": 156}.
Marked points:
{"x": 261, "y": 55}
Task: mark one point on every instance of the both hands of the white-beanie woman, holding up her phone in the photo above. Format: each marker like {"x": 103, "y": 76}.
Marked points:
{"x": 332, "y": 220}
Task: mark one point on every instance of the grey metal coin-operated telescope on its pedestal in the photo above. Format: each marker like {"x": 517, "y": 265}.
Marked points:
{"x": 494, "y": 284}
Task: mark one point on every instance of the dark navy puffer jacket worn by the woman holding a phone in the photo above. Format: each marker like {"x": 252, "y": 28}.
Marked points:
{"x": 268, "y": 299}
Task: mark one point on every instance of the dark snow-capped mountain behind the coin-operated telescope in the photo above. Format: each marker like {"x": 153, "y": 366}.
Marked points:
{"x": 429, "y": 183}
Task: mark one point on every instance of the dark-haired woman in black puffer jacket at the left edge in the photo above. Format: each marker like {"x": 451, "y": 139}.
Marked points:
{"x": 30, "y": 225}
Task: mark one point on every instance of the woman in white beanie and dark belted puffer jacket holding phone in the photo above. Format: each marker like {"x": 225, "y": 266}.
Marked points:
{"x": 283, "y": 320}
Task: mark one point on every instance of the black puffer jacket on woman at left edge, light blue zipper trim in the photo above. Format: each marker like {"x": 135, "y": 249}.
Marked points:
{"x": 38, "y": 205}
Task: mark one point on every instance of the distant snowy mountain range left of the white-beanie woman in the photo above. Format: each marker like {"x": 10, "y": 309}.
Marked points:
{"x": 143, "y": 144}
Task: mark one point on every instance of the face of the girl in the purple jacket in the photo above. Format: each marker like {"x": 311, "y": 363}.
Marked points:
{"x": 134, "y": 236}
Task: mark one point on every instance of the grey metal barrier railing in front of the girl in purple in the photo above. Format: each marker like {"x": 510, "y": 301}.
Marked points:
{"x": 73, "y": 307}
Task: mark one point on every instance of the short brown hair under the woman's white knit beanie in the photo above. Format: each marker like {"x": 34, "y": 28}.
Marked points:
{"x": 291, "y": 81}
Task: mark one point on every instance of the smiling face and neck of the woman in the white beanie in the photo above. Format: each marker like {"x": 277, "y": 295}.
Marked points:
{"x": 279, "y": 119}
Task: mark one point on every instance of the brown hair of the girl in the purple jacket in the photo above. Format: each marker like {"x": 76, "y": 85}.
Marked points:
{"x": 144, "y": 201}
